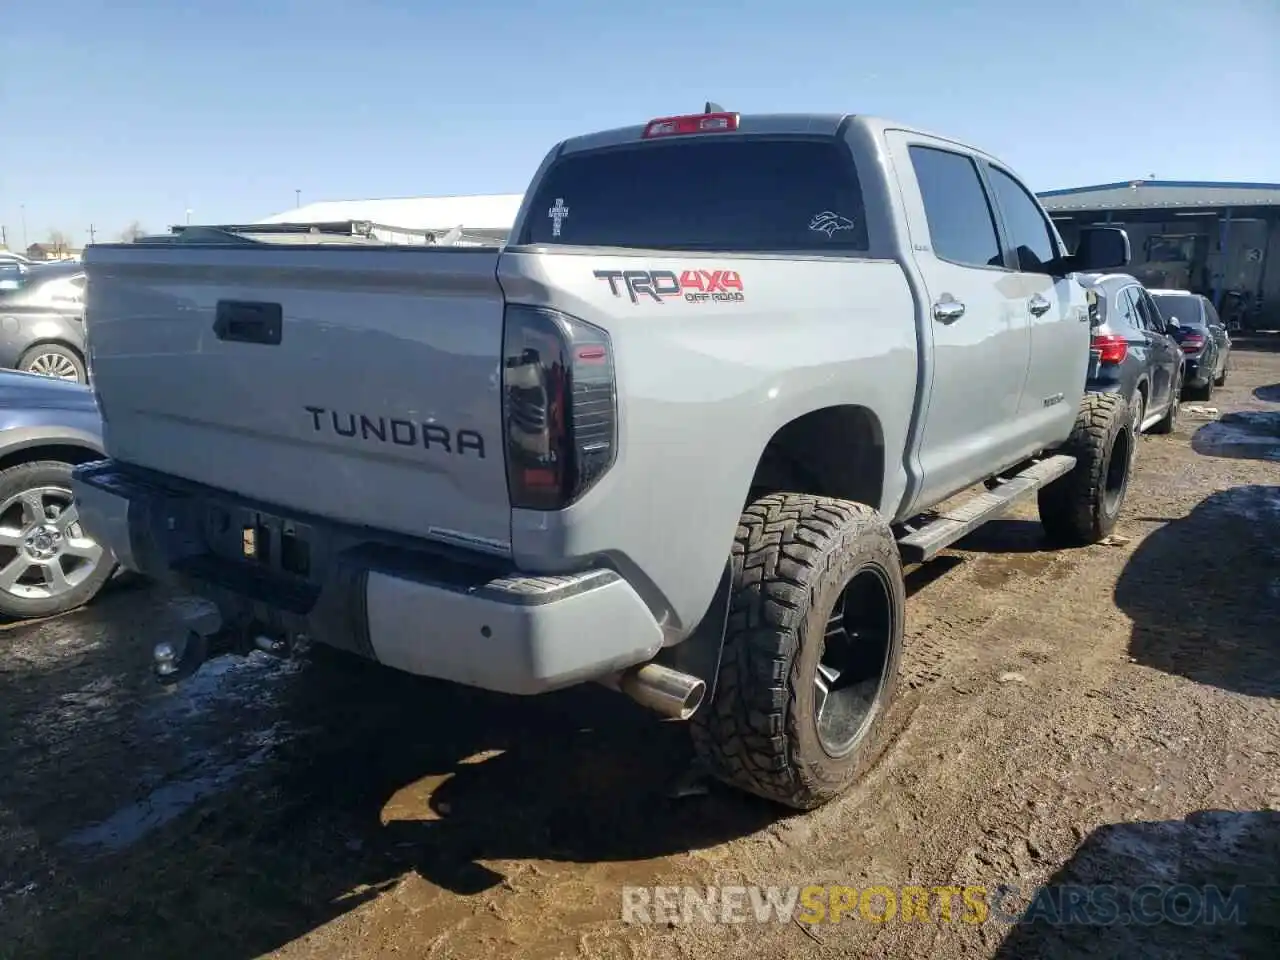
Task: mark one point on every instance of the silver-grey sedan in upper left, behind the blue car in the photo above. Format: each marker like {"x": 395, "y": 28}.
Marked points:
{"x": 43, "y": 319}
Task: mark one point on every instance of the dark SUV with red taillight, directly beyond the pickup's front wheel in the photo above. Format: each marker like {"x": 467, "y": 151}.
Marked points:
{"x": 1132, "y": 353}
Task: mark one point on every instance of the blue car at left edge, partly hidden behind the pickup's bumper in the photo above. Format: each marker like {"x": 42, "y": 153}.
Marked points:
{"x": 49, "y": 564}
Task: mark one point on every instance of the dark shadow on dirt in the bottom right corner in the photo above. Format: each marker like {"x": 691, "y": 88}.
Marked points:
{"x": 1203, "y": 889}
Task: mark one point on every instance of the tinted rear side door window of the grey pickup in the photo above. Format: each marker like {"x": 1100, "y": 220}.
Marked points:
{"x": 962, "y": 228}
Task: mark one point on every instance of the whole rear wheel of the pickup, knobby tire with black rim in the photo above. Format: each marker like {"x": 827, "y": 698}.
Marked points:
{"x": 811, "y": 652}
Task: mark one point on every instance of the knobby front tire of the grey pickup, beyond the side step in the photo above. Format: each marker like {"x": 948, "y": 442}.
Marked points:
{"x": 1076, "y": 509}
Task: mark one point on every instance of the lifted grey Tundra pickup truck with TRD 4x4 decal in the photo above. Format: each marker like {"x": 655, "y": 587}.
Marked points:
{"x": 680, "y": 436}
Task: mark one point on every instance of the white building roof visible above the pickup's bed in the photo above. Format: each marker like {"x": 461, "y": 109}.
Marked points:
{"x": 486, "y": 213}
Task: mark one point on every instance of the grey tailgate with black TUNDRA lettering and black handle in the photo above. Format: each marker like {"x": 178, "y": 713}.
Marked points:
{"x": 355, "y": 385}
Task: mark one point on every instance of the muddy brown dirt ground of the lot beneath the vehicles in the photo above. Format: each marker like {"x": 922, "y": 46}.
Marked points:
{"x": 1105, "y": 715}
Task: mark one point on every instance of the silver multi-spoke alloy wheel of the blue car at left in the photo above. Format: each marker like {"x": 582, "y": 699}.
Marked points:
{"x": 48, "y": 563}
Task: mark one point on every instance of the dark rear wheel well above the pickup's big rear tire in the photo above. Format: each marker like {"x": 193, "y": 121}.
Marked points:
{"x": 831, "y": 452}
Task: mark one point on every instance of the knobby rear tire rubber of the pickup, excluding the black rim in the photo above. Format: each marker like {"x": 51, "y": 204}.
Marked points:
{"x": 792, "y": 559}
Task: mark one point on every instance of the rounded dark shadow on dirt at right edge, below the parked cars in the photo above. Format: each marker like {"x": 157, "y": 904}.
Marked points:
{"x": 1197, "y": 610}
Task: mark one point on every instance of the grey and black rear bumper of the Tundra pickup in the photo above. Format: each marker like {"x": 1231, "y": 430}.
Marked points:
{"x": 432, "y": 612}
